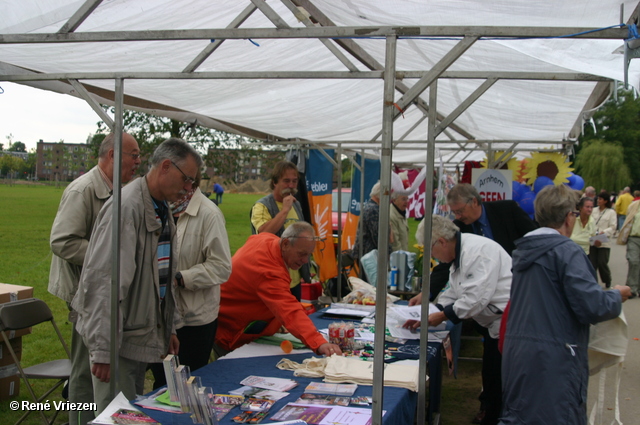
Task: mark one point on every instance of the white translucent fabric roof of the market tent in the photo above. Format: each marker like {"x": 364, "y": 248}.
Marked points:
{"x": 535, "y": 113}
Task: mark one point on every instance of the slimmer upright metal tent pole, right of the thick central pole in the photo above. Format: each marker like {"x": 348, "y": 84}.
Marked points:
{"x": 426, "y": 259}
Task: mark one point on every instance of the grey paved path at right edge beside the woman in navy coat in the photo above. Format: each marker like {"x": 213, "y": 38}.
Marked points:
{"x": 629, "y": 397}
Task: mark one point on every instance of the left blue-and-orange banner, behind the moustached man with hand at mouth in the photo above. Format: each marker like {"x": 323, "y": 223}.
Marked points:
{"x": 319, "y": 178}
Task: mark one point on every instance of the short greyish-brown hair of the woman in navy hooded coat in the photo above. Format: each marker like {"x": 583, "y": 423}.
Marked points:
{"x": 553, "y": 203}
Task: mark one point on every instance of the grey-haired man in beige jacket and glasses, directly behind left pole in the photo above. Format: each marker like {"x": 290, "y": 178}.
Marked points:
{"x": 147, "y": 270}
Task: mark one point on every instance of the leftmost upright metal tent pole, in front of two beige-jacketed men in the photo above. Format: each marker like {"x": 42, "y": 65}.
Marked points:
{"x": 115, "y": 237}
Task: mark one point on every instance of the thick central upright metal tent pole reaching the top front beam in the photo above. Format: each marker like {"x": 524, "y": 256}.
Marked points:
{"x": 383, "y": 228}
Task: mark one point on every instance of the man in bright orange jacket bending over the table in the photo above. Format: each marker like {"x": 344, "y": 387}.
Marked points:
{"x": 256, "y": 300}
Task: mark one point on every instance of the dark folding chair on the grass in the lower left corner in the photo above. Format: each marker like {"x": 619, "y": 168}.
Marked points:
{"x": 23, "y": 314}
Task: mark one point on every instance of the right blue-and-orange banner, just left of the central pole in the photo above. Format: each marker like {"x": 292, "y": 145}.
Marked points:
{"x": 371, "y": 176}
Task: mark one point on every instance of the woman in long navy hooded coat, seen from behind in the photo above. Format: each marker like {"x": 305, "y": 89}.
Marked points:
{"x": 554, "y": 299}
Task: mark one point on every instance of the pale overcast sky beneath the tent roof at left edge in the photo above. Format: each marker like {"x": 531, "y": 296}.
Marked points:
{"x": 32, "y": 114}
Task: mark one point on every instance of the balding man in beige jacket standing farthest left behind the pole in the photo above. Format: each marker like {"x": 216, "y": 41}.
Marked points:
{"x": 79, "y": 207}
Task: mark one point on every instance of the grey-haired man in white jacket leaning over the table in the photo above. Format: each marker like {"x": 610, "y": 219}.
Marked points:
{"x": 479, "y": 285}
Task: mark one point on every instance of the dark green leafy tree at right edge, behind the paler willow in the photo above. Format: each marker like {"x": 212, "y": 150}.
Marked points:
{"x": 617, "y": 123}
